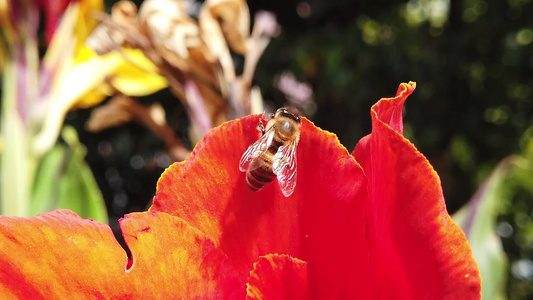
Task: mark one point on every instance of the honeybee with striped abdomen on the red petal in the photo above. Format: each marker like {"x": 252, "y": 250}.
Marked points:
{"x": 274, "y": 153}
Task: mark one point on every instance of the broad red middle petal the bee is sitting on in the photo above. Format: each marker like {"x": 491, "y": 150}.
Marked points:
{"x": 321, "y": 222}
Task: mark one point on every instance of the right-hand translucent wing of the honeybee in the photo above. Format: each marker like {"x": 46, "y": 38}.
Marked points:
{"x": 284, "y": 166}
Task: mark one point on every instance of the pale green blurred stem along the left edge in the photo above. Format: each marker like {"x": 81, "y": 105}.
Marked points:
{"x": 20, "y": 91}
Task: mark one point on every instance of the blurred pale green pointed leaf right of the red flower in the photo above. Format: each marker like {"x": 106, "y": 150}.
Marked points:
{"x": 478, "y": 220}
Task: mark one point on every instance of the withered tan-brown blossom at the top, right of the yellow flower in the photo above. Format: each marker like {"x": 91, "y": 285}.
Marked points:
{"x": 183, "y": 53}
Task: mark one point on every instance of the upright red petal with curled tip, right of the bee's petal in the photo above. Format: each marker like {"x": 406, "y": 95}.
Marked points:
{"x": 417, "y": 250}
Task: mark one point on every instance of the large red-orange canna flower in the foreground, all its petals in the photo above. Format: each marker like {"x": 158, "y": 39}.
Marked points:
{"x": 367, "y": 225}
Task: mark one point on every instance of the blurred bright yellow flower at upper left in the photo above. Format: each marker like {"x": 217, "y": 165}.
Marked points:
{"x": 79, "y": 78}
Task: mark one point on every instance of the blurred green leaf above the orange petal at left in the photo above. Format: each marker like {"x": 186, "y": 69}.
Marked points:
{"x": 64, "y": 180}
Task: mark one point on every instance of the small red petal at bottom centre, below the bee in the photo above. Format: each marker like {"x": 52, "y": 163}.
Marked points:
{"x": 278, "y": 277}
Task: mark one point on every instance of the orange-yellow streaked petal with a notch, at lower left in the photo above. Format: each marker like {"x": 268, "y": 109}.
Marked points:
{"x": 59, "y": 255}
